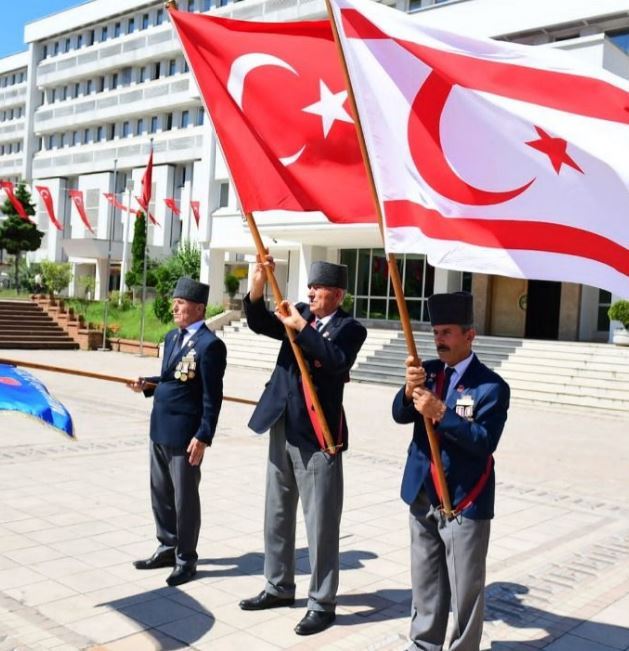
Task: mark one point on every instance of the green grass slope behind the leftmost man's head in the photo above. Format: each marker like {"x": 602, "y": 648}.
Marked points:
{"x": 125, "y": 323}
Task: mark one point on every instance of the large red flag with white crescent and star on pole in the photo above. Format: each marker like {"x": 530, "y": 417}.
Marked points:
{"x": 277, "y": 98}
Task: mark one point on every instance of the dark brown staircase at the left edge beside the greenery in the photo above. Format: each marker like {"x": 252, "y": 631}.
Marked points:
{"x": 25, "y": 325}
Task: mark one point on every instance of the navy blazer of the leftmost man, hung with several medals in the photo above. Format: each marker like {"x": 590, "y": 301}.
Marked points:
{"x": 183, "y": 410}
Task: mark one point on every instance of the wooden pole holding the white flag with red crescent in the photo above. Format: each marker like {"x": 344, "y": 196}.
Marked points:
{"x": 394, "y": 273}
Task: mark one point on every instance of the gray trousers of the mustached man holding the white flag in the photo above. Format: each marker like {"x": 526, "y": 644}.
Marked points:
{"x": 447, "y": 569}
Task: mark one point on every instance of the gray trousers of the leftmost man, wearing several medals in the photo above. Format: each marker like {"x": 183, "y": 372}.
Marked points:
{"x": 175, "y": 501}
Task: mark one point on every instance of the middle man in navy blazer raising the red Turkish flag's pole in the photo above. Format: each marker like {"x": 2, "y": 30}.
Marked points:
{"x": 298, "y": 467}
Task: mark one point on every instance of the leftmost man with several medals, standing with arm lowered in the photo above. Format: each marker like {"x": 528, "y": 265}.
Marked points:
{"x": 187, "y": 399}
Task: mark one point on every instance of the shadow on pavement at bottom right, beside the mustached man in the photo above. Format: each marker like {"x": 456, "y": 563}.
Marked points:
{"x": 505, "y": 602}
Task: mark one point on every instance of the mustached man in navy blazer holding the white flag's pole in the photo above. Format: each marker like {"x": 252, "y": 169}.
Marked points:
{"x": 467, "y": 403}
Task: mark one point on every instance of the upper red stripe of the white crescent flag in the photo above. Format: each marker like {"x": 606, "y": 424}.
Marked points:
{"x": 573, "y": 93}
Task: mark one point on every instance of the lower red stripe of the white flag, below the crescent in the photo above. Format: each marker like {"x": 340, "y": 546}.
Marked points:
{"x": 510, "y": 234}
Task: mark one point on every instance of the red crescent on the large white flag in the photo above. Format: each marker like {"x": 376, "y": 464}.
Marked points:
{"x": 427, "y": 151}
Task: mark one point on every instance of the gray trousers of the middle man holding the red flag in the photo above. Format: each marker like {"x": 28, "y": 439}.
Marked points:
{"x": 317, "y": 479}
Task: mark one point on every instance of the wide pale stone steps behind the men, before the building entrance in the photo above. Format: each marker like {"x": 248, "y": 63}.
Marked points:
{"x": 574, "y": 375}
